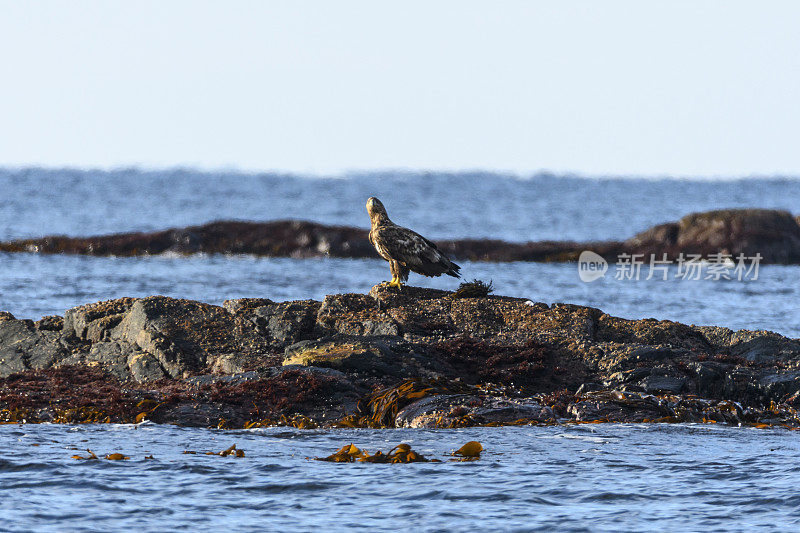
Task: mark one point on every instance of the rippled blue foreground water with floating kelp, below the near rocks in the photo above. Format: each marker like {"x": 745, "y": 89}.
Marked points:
{"x": 604, "y": 477}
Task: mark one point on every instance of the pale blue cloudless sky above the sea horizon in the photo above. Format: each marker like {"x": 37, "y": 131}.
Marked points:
{"x": 612, "y": 87}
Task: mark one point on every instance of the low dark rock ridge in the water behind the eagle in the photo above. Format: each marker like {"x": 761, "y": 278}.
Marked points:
{"x": 773, "y": 234}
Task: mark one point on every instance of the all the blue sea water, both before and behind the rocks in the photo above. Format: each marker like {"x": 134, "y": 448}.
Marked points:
{"x": 579, "y": 478}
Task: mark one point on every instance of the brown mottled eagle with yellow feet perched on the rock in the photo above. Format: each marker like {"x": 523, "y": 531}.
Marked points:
{"x": 405, "y": 250}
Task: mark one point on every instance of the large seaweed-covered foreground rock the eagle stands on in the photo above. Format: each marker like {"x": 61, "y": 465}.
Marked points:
{"x": 417, "y": 358}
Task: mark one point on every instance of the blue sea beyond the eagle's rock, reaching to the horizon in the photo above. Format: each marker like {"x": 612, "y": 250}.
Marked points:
{"x": 38, "y": 202}
